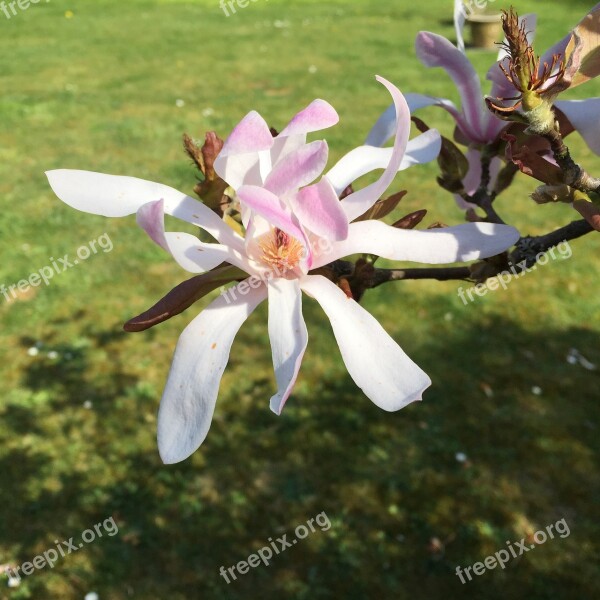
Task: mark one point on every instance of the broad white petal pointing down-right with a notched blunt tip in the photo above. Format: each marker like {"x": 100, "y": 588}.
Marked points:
{"x": 374, "y": 360}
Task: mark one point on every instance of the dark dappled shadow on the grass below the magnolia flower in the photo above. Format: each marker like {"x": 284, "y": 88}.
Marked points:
{"x": 404, "y": 511}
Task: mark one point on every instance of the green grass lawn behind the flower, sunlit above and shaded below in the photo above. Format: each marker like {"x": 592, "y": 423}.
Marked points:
{"x": 97, "y": 88}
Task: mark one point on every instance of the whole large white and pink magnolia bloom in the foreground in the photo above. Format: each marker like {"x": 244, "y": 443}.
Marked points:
{"x": 292, "y": 226}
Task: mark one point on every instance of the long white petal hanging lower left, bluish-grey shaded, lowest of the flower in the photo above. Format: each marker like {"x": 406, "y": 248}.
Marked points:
{"x": 200, "y": 358}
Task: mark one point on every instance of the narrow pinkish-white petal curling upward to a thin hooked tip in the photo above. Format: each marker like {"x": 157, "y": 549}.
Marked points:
{"x": 359, "y": 202}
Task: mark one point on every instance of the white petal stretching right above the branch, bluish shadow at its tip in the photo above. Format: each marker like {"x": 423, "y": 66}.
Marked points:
{"x": 461, "y": 243}
